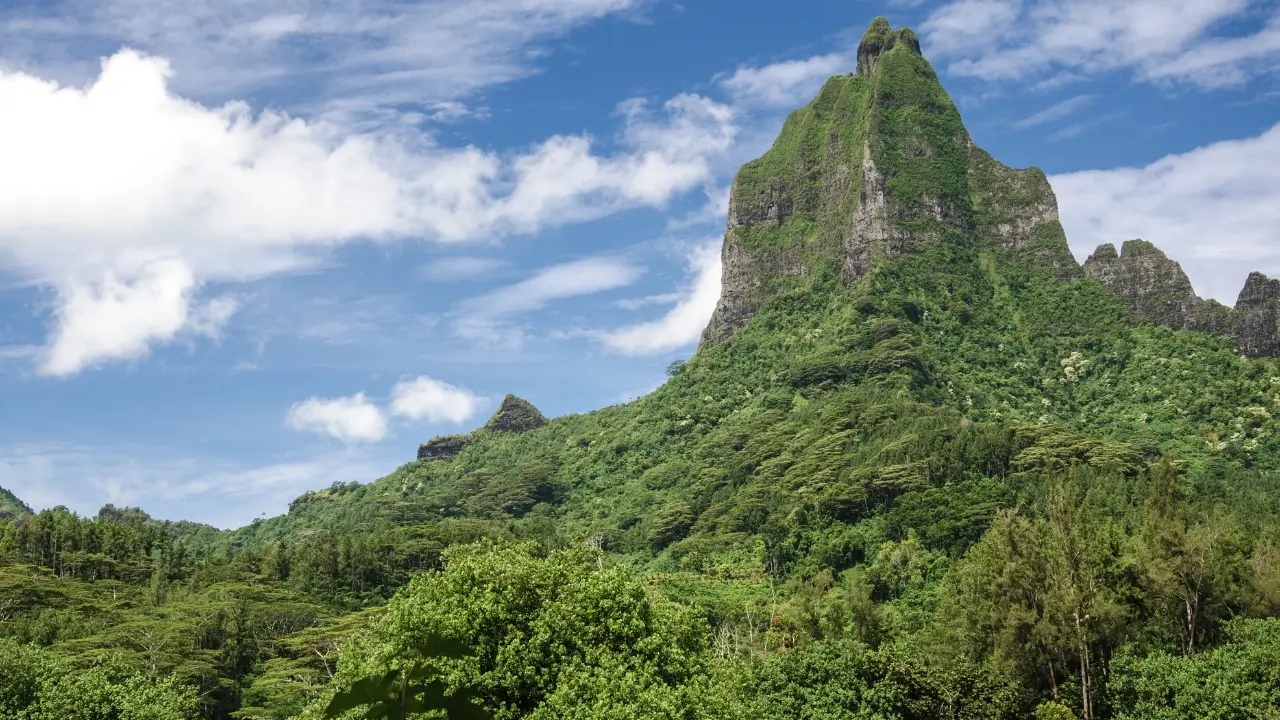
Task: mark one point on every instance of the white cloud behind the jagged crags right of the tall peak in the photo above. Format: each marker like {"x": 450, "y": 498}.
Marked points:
{"x": 1217, "y": 211}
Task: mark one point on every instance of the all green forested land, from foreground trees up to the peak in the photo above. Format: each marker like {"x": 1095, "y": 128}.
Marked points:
{"x": 922, "y": 466}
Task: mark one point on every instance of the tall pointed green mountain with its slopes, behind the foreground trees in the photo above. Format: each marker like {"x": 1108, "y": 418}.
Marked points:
{"x": 903, "y": 329}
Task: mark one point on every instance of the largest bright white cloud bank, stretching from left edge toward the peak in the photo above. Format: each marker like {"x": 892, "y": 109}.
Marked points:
{"x": 221, "y": 195}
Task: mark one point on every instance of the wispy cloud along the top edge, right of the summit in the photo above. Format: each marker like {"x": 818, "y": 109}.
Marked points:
{"x": 1158, "y": 40}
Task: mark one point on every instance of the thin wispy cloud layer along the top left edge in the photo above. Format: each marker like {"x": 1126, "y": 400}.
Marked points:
{"x": 367, "y": 62}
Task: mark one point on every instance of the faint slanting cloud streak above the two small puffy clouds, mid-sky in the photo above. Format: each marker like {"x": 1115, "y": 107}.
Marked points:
{"x": 487, "y": 318}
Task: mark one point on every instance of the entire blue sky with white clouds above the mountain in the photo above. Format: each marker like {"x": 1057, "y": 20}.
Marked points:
{"x": 250, "y": 249}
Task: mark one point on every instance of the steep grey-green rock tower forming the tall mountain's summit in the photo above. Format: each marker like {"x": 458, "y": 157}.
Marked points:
{"x": 880, "y": 165}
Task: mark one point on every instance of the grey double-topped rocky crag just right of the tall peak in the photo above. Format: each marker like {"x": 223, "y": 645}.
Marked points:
{"x": 1155, "y": 288}
